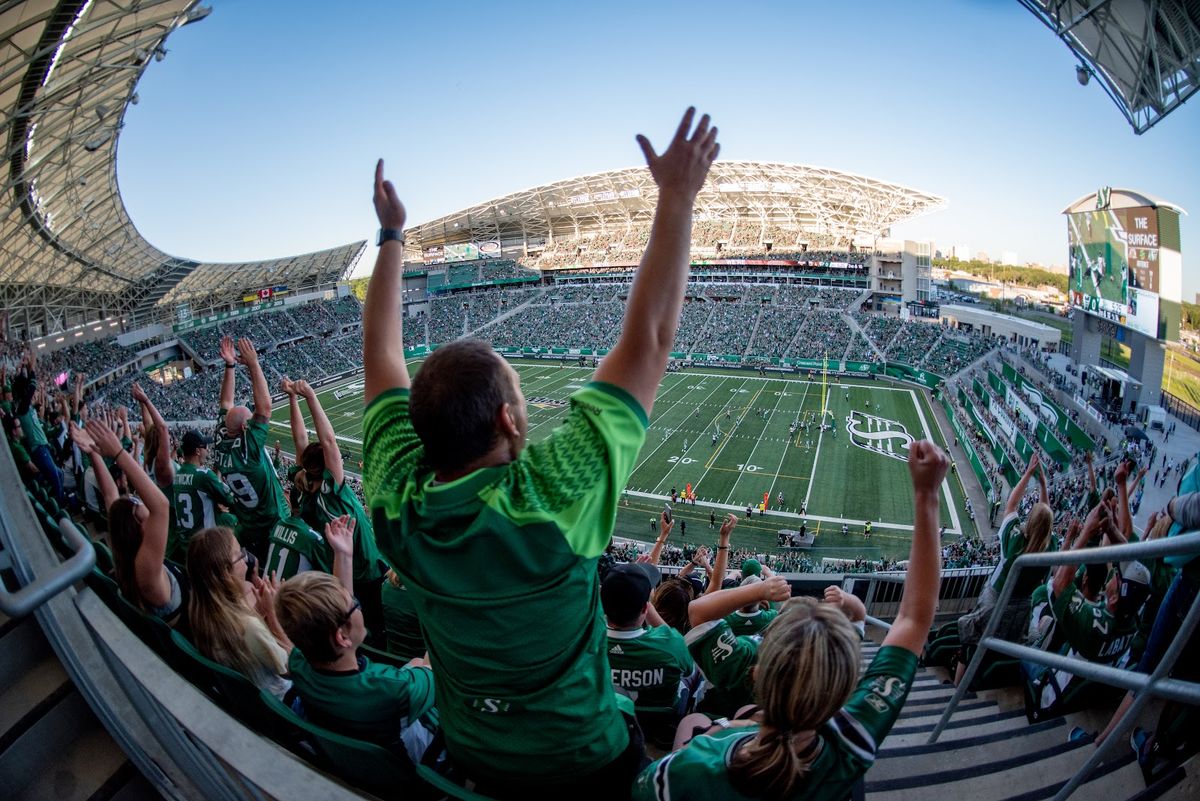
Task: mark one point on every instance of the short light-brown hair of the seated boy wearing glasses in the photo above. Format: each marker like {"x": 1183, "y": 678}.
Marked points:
{"x": 311, "y": 609}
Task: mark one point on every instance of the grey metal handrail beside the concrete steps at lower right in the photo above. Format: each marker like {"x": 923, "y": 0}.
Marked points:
{"x": 1156, "y": 685}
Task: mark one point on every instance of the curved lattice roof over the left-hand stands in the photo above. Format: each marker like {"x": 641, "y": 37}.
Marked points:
{"x": 69, "y": 251}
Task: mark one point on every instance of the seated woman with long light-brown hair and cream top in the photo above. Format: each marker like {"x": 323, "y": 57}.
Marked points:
{"x": 227, "y": 627}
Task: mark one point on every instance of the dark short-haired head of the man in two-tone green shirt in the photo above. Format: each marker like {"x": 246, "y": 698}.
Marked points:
{"x": 455, "y": 399}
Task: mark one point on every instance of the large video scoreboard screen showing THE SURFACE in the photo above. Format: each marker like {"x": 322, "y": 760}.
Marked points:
{"x": 1114, "y": 266}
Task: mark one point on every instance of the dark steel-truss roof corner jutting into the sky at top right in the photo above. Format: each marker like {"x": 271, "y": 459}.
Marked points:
{"x": 1145, "y": 55}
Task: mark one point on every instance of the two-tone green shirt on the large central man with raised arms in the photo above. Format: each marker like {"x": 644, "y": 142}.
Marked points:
{"x": 502, "y": 567}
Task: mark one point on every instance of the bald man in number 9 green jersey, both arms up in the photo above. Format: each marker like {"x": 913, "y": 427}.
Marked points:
{"x": 242, "y": 451}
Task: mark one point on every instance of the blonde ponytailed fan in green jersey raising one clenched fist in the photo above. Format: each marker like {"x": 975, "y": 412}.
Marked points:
{"x": 819, "y": 725}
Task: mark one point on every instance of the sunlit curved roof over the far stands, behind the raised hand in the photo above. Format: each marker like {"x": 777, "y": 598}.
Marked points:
{"x": 812, "y": 198}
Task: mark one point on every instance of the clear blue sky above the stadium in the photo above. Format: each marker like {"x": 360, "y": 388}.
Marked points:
{"x": 256, "y": 137}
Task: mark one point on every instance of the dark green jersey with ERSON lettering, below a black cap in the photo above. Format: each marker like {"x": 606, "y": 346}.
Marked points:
{"x": 651, "y": 665}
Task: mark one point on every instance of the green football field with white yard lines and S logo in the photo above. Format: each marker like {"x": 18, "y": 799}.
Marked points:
{"x": 736, "y": 437}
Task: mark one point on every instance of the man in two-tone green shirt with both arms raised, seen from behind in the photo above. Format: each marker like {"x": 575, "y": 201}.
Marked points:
{"x": 497, "y": 543}
